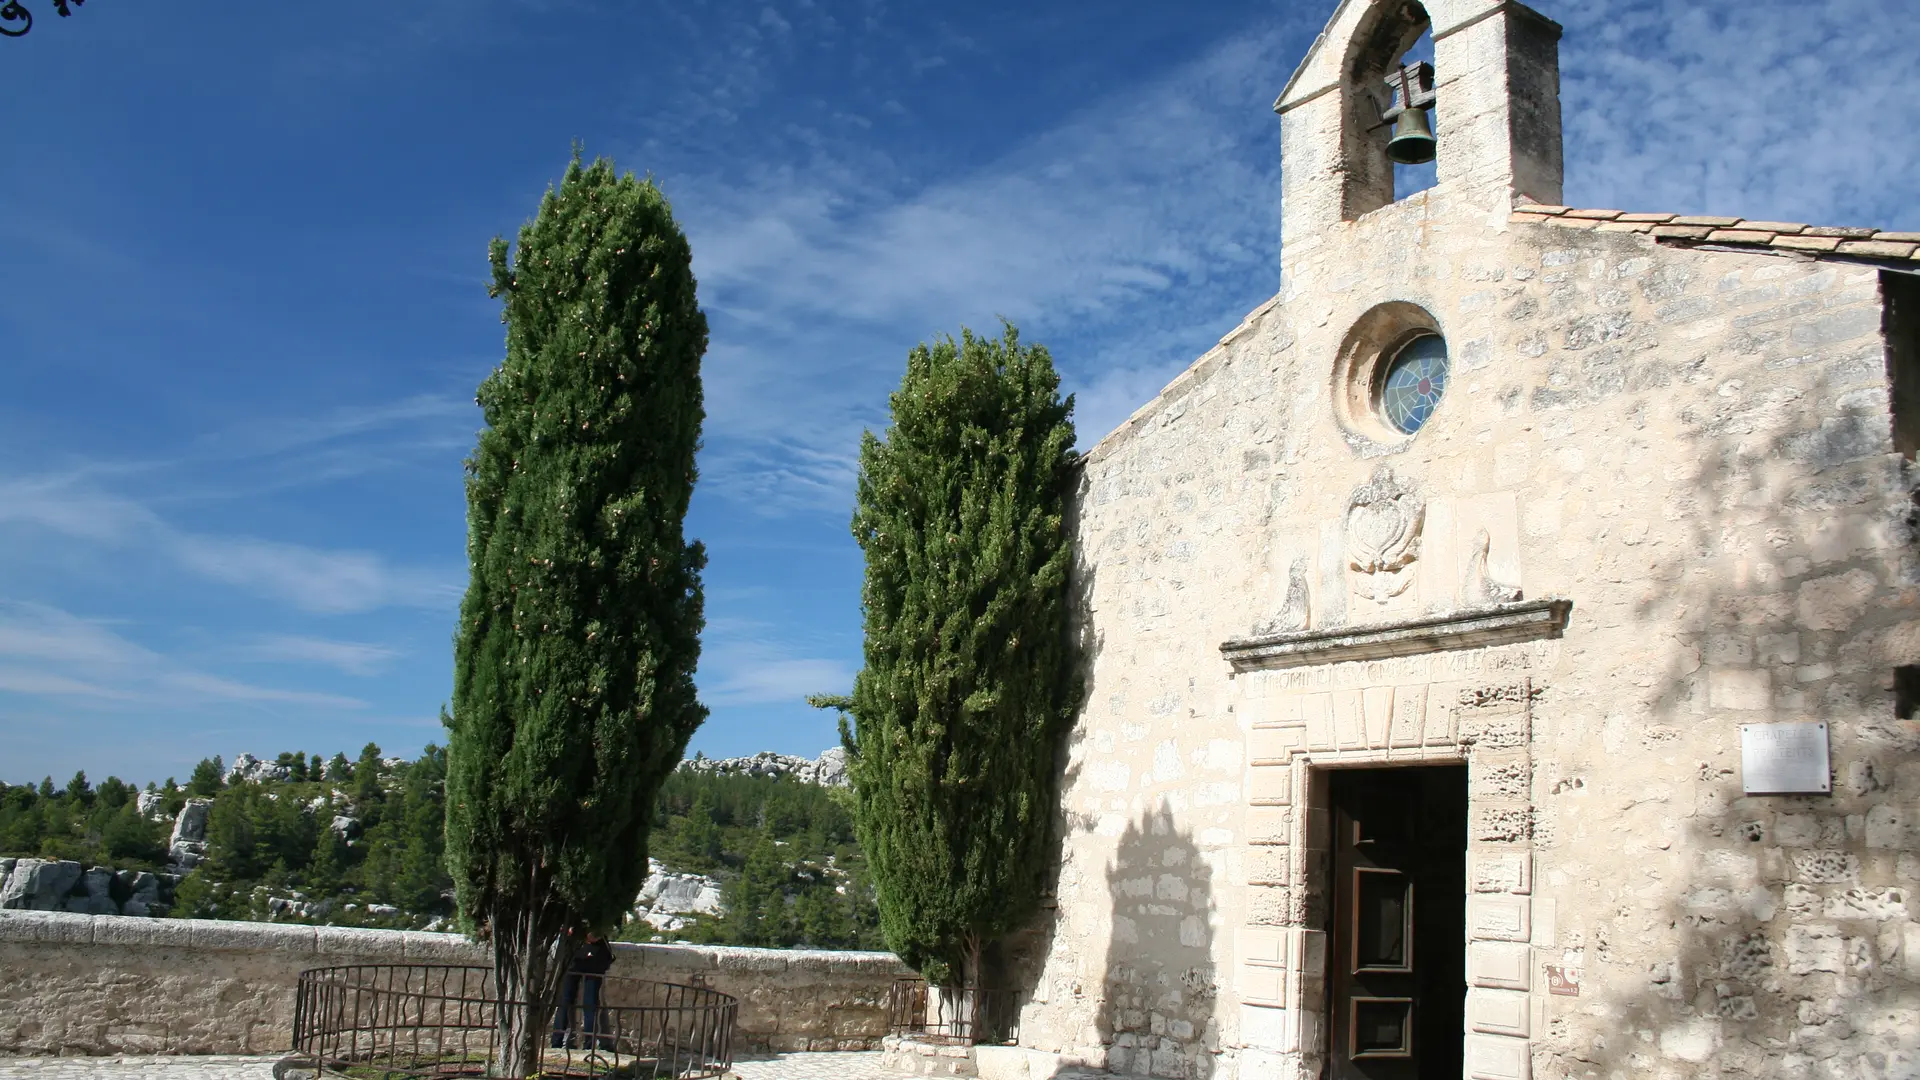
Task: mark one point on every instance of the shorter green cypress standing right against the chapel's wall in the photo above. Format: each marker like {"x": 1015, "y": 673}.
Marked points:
{"x": 971, "y": 674}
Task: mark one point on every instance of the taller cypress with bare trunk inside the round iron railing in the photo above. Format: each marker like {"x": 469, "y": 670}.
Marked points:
{"x": 579, "y": 637}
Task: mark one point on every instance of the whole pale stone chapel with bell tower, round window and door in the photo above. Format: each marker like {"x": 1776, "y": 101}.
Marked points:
{"x": 1502, "y": 649}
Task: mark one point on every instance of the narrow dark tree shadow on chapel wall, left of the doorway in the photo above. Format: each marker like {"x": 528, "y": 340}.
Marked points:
{"x": 1161, "y": 985}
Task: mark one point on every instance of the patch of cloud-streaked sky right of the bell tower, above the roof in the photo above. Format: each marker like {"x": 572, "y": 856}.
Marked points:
{"x": 1769, "y": 109}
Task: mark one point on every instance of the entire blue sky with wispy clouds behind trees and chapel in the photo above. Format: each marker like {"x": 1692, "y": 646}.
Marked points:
{"x": 245, "y": 257}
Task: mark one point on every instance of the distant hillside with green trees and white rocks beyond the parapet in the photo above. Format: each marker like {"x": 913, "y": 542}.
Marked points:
{"x": 750, "y": 850}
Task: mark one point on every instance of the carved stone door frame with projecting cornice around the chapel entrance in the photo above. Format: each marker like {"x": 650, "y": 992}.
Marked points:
{"x": 1449, "y": 693}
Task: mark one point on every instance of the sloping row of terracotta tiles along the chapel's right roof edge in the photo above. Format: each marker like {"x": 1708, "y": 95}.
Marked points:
{"x": 1731, "y": 232}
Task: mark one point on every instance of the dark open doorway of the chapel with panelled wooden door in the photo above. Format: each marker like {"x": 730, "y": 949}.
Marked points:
{"x": 1397, "y": 960}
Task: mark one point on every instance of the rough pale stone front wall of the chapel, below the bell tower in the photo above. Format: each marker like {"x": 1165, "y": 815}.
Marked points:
{"x": 1696, "y": 451}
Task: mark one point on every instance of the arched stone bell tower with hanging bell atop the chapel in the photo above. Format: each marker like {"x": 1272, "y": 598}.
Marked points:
{"x": 1495, "y": 87}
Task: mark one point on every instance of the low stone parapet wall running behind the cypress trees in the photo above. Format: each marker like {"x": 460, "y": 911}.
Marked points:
{"x": 82, "y": 985}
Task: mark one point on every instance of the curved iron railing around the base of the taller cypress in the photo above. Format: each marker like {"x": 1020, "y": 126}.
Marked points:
{"x": 393, "y": 1021}
